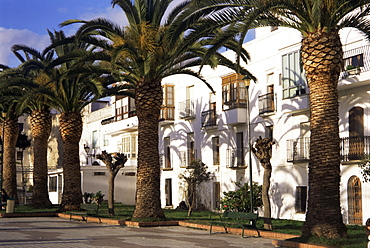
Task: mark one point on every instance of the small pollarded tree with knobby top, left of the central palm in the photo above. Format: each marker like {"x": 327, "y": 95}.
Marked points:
{"x": 114, "y": 164}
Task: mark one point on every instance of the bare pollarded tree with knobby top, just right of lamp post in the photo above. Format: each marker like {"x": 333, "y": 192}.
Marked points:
{"x": 262, "y": 149}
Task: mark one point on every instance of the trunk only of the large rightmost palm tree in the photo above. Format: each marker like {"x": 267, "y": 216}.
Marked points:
{"x": 324, "y": 217}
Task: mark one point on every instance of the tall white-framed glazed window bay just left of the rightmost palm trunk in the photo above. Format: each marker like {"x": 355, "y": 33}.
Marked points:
{"x": 294, "y": 79}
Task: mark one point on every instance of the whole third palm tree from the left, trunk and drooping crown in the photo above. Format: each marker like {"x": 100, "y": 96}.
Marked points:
{"x": 79, "y": 83}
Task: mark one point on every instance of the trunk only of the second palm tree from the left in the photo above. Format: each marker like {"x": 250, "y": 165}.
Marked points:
{"x": 40, "y": 129}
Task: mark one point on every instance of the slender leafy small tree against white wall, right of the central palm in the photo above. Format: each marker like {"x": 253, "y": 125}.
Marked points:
{"x": 194, "y": 175}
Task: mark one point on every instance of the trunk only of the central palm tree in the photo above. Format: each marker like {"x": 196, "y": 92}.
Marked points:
{"x": 148, "y": 102}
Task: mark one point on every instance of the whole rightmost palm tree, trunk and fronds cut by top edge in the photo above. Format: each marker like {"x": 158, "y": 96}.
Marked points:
{"x": 319, "y": 22}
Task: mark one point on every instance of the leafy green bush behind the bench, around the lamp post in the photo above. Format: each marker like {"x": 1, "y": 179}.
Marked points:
{"x": 239, "y": 200}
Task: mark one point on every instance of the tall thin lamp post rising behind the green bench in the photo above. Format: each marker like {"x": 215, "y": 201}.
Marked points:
{"x": 247, "y": 82}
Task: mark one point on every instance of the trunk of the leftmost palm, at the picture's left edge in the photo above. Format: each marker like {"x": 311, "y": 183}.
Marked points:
{"x": 10, "y": 132}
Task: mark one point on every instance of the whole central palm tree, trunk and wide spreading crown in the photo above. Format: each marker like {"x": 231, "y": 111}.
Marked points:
{"x": 142, "y": 54}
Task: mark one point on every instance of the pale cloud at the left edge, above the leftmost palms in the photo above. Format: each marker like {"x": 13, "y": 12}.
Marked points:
{"x": 9, "y": 37}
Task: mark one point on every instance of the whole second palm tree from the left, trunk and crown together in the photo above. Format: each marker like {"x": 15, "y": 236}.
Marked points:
{"x": 36, "y": 75}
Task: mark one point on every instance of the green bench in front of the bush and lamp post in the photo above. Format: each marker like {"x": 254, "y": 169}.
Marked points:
{"x": 243, "y": 220}
